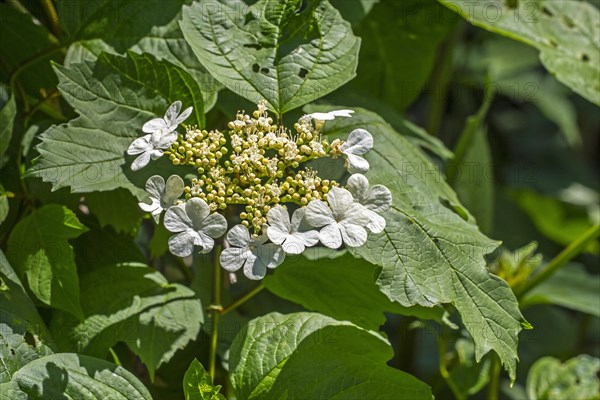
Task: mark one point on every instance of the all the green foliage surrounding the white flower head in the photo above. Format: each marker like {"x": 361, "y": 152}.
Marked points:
{"x": 93, "y": 306}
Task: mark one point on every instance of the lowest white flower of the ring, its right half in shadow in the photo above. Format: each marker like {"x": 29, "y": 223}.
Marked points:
{"x": 251, "y": 254}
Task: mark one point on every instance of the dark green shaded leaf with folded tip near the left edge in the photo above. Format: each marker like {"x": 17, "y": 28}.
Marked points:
{"x": 38, "y": 248}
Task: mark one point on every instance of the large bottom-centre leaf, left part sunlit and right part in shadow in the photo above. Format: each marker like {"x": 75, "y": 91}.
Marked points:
{"x": 309, "y": 355}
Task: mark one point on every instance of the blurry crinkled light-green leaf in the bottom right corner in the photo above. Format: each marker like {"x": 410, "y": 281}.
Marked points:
{"x": 576, "y": 379}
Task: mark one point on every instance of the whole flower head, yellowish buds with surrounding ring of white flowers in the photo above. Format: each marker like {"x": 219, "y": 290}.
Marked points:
{"x": 256, "y": 174}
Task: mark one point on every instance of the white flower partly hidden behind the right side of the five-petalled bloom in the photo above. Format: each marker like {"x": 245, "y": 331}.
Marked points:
{"x": 376, "y": 199}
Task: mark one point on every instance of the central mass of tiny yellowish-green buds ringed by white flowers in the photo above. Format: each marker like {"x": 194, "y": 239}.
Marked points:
{"x": 256, "y": 164}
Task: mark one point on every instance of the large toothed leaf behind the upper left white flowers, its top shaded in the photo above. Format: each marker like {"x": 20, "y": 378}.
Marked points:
{"x": 114, "y": 96}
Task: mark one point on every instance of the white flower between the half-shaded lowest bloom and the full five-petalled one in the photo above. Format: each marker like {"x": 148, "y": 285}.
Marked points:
{"x": 290, "y": 235}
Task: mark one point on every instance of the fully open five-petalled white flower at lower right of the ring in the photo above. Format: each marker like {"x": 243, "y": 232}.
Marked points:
{"x": 342, "y": 221}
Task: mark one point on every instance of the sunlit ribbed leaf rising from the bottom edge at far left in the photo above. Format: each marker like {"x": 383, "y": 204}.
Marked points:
{"x": 76, "y": 376}
